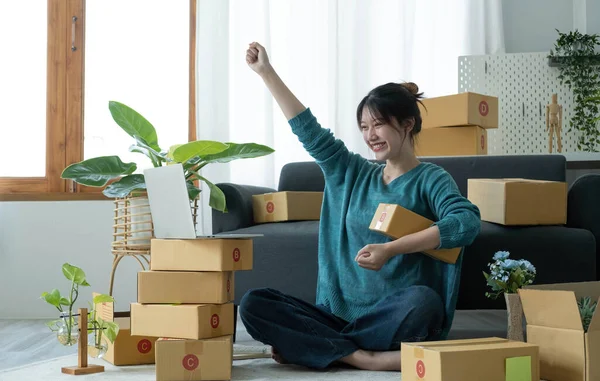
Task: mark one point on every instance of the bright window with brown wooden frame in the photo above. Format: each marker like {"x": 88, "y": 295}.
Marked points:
{"x": 73, "y": 58}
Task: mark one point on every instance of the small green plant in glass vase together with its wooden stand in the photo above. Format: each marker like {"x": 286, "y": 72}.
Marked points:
{"x": 69, "y": 328}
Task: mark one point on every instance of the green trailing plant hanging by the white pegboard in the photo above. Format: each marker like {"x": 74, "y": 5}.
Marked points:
{"x": 579, "y": 68}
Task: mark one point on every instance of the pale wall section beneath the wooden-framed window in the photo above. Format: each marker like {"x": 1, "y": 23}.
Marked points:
{"x": 36, "y": 238}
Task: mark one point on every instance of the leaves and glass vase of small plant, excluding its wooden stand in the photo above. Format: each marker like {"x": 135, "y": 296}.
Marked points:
{"x": 66, "y": 327}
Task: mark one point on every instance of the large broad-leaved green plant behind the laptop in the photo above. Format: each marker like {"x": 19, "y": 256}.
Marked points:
{"x": 99, "y": 171}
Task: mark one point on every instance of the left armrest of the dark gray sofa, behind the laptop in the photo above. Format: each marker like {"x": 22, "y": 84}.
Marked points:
{"x": 239, "y": 207}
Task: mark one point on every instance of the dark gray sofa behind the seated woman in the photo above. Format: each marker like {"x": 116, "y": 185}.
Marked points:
{"x": 286, "y": 257}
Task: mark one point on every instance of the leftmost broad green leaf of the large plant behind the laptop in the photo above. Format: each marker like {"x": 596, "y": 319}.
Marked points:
{"x": 98, "y": 171}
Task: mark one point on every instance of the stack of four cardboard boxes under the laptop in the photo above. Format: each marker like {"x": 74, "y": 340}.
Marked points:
{"x": 185, "y": 301}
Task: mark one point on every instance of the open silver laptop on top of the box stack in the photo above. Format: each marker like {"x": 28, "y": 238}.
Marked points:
{"x": 170, "y": 205}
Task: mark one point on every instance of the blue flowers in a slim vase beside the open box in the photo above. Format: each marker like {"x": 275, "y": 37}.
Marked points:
{"x": 506, "y": 277}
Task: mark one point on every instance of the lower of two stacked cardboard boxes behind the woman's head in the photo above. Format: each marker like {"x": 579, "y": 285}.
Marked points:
{"x": 451, "y": 141}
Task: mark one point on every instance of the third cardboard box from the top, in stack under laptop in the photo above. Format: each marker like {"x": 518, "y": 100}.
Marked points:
{"x": 183, "y": 321}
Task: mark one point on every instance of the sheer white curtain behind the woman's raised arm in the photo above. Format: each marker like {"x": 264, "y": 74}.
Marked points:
{"x": 330, "y": 53}
